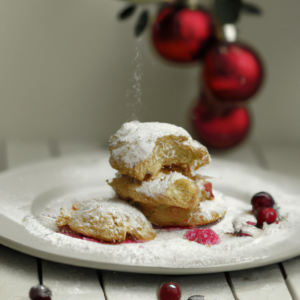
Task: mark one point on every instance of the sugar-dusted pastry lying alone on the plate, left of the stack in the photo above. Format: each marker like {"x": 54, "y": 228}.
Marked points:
{"x": 110, "y": 220}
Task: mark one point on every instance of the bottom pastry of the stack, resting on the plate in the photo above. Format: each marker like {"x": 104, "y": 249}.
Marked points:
{"x": 206, "y": 212}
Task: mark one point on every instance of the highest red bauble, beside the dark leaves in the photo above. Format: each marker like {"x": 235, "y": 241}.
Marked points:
{"x": 182, "y": 35}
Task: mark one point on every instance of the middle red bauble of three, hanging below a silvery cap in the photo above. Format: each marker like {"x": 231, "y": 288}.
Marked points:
{"x": 232, "y": 72}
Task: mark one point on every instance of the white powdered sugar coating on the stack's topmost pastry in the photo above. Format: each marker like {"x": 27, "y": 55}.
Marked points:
{"x": 139, "y": 140}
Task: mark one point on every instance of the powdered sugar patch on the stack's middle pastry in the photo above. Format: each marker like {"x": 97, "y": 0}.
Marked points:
{"x": 158, "y": 186}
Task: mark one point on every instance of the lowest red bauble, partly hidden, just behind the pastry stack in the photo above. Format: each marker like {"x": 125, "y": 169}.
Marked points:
{"x": 221, "y": 127}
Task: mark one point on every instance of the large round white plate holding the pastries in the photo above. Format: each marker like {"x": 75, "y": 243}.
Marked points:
{"x": 28, "y": 190}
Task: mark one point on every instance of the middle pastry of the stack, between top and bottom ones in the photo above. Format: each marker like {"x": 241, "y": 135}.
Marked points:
{"x": 173, "y": 189}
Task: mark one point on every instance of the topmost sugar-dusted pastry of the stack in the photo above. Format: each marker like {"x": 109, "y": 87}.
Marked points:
{"x": 138, "y": 149}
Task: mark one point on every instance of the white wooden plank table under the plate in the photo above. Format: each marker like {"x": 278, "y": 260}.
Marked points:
{"x": 19, "y": 272}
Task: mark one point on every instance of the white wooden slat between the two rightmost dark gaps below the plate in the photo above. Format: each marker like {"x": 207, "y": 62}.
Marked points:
{"x": 265, "y": 283}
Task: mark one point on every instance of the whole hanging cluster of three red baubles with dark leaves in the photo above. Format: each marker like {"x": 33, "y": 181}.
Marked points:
{"x": 232, "y": 72}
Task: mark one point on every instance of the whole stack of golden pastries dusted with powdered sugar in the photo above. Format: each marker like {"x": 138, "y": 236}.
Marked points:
{"x": 157, "y": 164}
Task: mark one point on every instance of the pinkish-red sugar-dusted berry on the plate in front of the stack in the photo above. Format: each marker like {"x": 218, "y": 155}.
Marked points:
{"x": 202, "y": 236}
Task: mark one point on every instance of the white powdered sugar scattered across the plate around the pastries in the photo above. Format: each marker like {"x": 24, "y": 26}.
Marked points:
{"x": 170, "y": 249}
